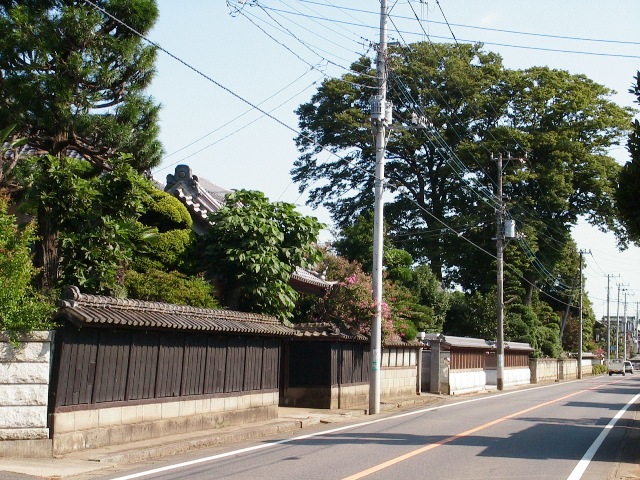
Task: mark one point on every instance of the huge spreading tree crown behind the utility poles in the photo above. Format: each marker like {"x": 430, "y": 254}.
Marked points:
{"x": 469, "y": 108}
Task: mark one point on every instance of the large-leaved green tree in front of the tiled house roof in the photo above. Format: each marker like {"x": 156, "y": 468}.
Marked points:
{"x": 254, "y": 246}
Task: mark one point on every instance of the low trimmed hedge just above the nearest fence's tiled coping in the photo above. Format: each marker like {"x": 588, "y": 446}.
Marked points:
{"x": 172, "y": 287}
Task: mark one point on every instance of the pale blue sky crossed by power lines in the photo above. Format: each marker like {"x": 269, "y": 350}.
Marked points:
{"x": 231, "y": 74}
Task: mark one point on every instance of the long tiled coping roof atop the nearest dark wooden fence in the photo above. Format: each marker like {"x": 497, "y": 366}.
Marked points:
{"x": 95, "y": 310}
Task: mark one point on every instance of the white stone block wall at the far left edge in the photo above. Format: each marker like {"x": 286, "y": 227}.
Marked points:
{"x": 24, "y": 387}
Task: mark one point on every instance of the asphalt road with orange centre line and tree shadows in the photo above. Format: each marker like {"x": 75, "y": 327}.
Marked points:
{"x": 569, "y": 430}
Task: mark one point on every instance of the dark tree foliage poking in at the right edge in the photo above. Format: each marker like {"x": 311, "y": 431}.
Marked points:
{"x": 629, "y": 179}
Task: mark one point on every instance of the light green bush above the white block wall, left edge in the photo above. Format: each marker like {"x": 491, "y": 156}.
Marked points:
{"x": 22, "y": 309}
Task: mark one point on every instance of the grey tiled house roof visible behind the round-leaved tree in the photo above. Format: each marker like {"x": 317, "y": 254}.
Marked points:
{"x": 202, "y": 197}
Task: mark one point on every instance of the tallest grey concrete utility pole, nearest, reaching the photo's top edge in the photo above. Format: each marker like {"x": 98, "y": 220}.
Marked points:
{"x": 380, "y": 119}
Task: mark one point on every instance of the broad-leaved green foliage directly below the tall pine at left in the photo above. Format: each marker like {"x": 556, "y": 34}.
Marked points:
{"x": 93, "y": 219}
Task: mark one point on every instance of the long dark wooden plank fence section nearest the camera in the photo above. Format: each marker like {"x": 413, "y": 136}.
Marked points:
{"x": 93, "y": 366}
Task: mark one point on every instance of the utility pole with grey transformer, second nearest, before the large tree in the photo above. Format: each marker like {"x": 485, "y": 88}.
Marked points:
{"x": 500, "y": 277}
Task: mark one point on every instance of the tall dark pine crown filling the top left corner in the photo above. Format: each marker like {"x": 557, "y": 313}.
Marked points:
{"x": 72, "y": 78}
